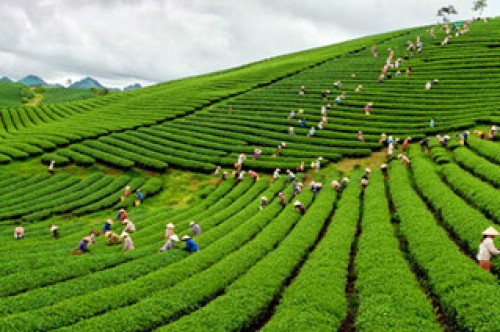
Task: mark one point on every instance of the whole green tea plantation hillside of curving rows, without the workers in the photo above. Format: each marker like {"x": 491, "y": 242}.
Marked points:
{"x": 399, "y": 255}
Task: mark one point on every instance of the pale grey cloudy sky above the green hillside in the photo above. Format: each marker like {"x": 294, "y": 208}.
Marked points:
{"x": 120, "y": 42}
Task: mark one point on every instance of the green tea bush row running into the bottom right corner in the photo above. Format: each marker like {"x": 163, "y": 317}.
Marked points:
{"x": 453, "y": 277}
